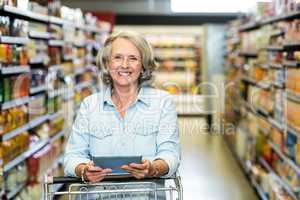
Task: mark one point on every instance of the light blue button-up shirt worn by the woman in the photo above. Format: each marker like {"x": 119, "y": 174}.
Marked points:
{"x": 149, "y": 128}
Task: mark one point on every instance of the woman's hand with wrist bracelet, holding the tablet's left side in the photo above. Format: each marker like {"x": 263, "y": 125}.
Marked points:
{"x": 92, "y": 173}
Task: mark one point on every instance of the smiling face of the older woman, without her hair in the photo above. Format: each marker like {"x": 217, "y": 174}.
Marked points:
{"x": 125, "y": 63}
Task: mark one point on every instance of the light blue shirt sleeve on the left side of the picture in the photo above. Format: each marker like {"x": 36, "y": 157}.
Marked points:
{"x": 77, "y": 150}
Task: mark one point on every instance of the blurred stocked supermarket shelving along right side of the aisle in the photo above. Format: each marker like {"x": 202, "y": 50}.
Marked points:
{"x": 262, "y": 92}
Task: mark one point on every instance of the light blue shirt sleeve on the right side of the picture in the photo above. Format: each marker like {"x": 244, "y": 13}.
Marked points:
{"x": 168, "y": 145}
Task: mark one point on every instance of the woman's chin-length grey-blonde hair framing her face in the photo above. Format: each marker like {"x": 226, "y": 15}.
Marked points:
{"x": 145, "y": 49}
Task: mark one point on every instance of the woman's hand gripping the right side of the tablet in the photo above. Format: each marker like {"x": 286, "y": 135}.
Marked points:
{"x": 140, "y": 171}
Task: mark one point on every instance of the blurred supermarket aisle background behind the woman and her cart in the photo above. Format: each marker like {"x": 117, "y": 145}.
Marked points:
{"x": 232, "y": 67}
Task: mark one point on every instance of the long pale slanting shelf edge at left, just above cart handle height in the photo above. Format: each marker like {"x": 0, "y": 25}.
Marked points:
{"x": 34, "y": 148}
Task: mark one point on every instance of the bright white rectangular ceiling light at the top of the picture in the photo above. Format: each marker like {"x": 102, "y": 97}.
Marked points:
{"x": 213, "y": 6}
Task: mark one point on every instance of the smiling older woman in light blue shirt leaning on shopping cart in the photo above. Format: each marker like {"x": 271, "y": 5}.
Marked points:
{"x": 128, "y": 117}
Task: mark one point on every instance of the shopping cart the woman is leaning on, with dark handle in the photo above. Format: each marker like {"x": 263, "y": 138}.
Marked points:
{"x": 114, "y": 188}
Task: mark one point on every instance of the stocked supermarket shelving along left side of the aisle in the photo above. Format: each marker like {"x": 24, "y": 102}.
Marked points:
{"x": 54, "y": 57}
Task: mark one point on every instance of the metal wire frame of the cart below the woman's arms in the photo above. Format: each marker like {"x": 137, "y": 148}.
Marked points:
{"x": 113, "y": 186}
